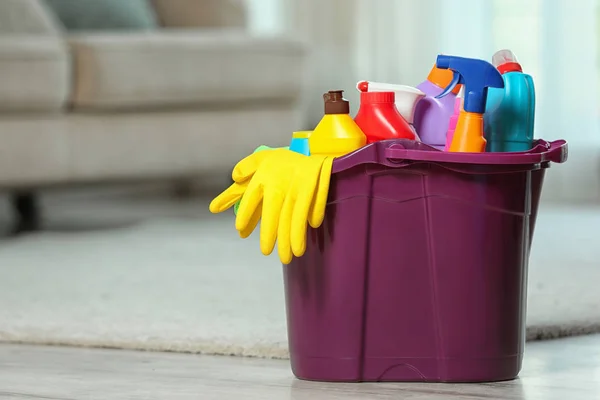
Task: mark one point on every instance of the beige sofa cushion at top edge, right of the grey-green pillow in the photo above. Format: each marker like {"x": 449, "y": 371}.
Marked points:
{"x": 201, "y": 13}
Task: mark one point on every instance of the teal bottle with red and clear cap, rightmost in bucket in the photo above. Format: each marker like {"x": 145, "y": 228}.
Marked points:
{"x": 509, "y": 127}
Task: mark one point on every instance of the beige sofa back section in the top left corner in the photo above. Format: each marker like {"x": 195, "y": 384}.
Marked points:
{"x": 31, "y": 17}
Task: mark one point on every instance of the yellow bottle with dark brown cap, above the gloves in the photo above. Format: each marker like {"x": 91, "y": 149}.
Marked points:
{"x": 336, "y": 134}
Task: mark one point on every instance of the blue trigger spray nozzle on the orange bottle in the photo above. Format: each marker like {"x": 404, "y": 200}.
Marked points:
{"x": 475, "y": 75}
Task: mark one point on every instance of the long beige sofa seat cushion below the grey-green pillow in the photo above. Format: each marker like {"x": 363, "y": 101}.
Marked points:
{"x": 182, "y": 68}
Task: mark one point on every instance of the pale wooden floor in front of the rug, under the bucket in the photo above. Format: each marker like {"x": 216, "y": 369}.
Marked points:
{"x": 567, "y": 369}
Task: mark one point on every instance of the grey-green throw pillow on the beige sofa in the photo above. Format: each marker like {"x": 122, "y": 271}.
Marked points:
{"x": 86, "y": 15}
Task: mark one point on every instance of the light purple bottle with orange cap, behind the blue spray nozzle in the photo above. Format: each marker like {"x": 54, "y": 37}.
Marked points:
{"x": 432, "y": 114}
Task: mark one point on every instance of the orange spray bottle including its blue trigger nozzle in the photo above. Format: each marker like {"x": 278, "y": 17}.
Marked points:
{"x": 477, "y": 76}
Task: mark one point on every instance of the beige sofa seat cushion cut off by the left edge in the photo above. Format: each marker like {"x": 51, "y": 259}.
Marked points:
{"x": 34, "y": 73}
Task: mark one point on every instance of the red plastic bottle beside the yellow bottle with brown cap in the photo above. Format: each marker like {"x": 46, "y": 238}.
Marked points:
{"x": 379, "y": 118}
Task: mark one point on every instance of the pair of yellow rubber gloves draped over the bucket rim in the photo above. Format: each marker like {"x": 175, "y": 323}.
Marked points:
{"x": 277, "y": 178}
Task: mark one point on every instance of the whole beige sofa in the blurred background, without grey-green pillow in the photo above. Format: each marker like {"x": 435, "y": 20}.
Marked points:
{"x": 190, "y": 98}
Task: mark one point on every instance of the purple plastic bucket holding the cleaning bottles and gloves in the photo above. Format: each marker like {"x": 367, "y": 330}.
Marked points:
{"x": 419, "y": 271}
